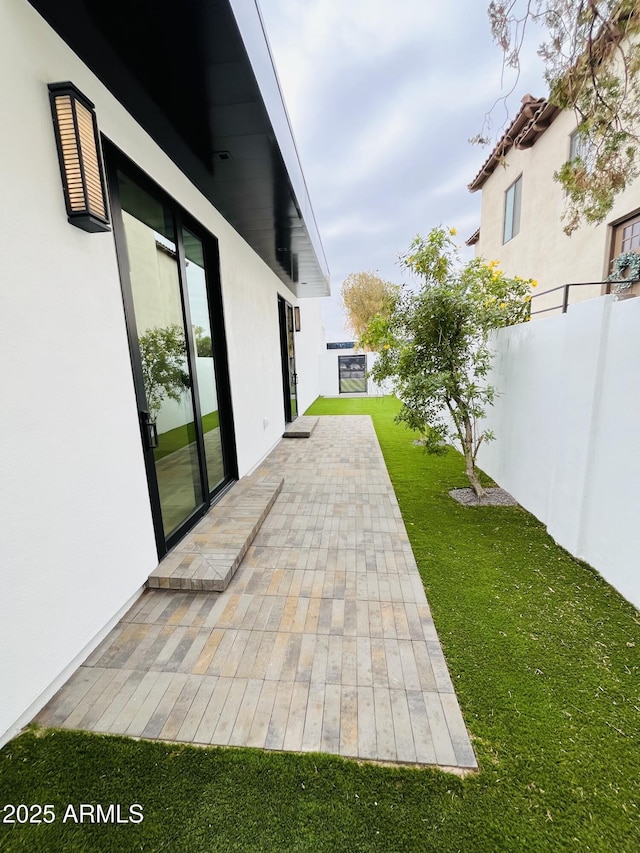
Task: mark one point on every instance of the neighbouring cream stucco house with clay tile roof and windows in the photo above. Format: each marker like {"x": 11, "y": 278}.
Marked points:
{"x": 521, "y": 217}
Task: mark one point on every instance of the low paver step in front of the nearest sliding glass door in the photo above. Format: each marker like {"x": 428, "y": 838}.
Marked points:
{"x": 209, "y": 555}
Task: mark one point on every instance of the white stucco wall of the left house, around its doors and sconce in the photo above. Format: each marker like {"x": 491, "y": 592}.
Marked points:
{"x": 76, "y": 535}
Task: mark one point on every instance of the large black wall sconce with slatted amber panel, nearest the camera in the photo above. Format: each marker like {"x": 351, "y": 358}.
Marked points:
{"x": 78, "y": 142}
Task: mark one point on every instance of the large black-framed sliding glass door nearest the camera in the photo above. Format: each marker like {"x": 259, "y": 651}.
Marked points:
{"x": 178, "y": 353}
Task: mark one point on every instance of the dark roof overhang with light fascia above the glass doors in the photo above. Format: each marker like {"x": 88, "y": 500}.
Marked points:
{"x": 199, "y": 77}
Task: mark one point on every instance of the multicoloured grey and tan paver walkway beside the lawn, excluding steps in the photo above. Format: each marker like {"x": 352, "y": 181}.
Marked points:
{"x": 323, "y": 640}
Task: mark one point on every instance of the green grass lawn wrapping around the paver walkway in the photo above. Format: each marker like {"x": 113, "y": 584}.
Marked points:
{"x": 544, "y": 657}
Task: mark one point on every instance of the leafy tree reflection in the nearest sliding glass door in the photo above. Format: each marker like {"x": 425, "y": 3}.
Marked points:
{"x": 164, "y": 366}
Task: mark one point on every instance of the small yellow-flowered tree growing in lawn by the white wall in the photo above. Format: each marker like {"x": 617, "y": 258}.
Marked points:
{"x": 434, "y": 343}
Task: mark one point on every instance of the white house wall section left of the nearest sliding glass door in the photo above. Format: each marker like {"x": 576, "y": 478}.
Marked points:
{"x": 76, "y": 532}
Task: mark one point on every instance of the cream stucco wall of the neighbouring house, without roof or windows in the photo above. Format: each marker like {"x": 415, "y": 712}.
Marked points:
{"x": 541, "y": 250}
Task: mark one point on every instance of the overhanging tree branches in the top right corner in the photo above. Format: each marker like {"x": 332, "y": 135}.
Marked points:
{"x": 591, "y": 59}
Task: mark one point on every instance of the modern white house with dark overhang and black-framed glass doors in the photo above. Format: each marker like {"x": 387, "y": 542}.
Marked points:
{"x": 161, "y": 280}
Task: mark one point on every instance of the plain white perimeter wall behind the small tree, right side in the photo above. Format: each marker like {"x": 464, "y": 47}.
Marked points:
{"x": 567, "y": 428}
